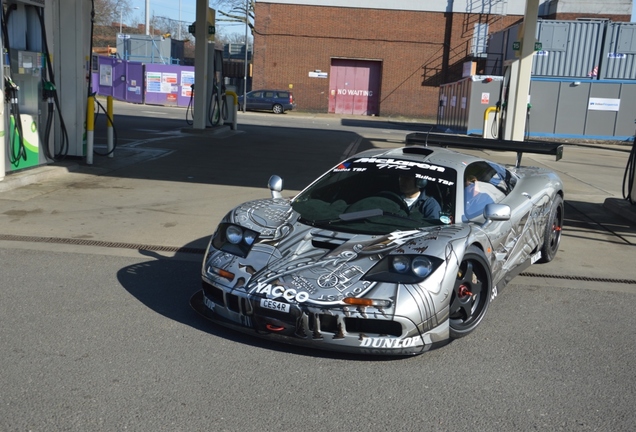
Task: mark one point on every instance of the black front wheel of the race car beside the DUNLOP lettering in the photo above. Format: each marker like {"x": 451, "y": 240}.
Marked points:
{"x": 471, "y": 293}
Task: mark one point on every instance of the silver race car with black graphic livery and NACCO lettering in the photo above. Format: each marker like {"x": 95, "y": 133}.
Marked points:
{"x": 390, "y": 252}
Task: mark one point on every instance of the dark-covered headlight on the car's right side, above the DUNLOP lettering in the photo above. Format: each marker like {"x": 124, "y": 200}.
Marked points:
{"x": 403, "y": 268}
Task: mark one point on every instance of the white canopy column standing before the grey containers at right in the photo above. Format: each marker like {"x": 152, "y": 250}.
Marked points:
{"x": 520, "y": 81}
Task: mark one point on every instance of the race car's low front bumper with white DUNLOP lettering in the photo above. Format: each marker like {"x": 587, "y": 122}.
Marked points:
{"x": 325, "y": 330}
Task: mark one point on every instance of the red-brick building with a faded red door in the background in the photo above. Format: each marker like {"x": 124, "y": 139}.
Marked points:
{"x": 379, "y": 57}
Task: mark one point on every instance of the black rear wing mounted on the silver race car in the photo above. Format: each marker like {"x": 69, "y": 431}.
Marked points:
{"x": 479, "y": 143}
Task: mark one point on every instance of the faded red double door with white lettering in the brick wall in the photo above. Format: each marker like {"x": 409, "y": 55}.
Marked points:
{"x": 354, "y": 87}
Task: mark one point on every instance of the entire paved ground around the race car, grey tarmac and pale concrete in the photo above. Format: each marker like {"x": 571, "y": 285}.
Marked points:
{"x": 98, "y": 263}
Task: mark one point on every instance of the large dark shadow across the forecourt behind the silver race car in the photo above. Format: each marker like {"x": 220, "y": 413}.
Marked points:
{"x": 244, "y": 158}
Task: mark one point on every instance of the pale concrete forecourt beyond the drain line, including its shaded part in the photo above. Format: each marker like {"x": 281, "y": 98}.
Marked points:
{"x": 168, "y": 185}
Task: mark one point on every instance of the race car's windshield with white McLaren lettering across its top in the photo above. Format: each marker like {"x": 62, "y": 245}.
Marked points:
{"x": 378, "y": 196}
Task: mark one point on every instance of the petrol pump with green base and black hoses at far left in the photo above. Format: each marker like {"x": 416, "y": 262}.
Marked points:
{"x": 24, "y": 72}
